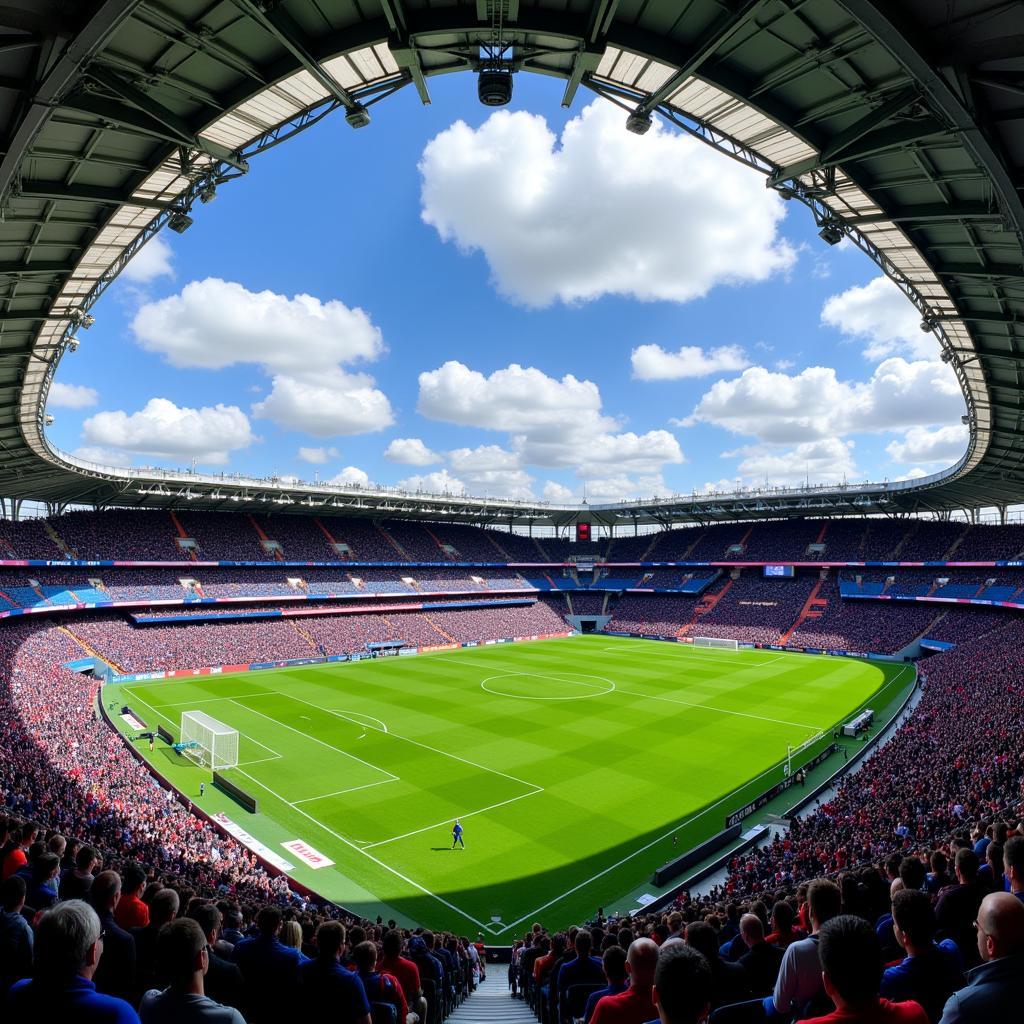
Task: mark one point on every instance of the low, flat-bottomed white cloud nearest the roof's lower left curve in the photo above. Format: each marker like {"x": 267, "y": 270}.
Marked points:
{"x": 161, "y": 429}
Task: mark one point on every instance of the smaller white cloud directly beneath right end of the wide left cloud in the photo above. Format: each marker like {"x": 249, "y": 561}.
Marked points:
{"x": 336, "y": 404}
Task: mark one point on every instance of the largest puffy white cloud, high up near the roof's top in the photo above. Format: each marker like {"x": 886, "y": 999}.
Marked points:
{"x": 601, "y": 211}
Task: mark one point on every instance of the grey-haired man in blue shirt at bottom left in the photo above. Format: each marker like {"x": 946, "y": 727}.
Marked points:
{"x": 69, "y": 947}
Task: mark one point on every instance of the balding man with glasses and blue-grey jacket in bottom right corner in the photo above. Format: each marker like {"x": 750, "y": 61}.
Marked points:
{"x": 996, "y": 990}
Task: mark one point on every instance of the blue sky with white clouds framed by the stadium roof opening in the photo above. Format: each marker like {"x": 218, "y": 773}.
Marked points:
{"x": 522, "y": 304}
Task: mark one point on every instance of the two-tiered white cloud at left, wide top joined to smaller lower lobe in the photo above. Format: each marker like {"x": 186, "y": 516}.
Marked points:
{"x": 304, "y": 344}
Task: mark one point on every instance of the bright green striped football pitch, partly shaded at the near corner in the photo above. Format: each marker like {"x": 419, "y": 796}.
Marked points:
{"x": 574, "y": 765}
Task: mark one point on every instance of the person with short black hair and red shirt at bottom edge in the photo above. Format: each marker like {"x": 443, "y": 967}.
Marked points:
{"x": 851, "y": 965}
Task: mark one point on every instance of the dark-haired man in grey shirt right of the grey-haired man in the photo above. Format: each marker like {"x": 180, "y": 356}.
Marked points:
{"x": 183, "y": 957}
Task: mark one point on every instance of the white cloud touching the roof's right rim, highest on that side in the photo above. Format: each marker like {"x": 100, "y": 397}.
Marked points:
{"x": 882, "y": 317}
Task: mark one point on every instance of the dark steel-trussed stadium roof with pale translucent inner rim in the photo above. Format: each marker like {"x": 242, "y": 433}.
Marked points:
{"x": 899, "y": 123}
